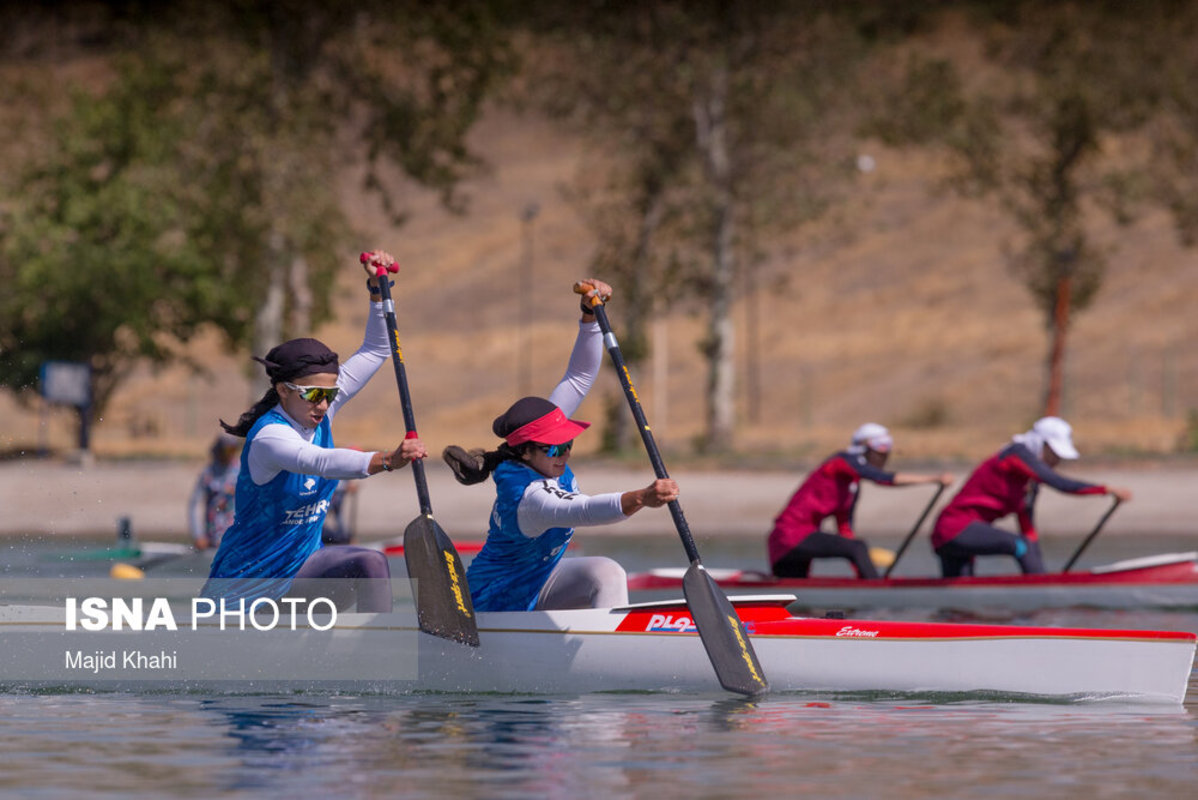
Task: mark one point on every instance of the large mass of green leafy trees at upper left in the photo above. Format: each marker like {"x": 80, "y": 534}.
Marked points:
{"x": 198, "y": 185}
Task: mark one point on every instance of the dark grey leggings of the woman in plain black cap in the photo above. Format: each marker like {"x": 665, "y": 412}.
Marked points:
{"x": 347, "y": 575}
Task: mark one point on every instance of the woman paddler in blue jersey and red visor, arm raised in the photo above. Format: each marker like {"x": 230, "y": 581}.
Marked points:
{"x": 539, "y": 504}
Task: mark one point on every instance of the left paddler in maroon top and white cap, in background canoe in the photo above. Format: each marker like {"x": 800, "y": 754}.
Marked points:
{"x": 833, "y": 492}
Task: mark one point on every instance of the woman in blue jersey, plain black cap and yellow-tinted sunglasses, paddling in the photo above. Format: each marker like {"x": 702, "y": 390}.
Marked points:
{"x": 289, "y": 470}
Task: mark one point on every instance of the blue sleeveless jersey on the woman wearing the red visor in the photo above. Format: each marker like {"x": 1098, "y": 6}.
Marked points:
{"x": 511, "y": 569}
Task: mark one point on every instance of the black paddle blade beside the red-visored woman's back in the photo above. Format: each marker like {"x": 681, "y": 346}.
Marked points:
{"x": 443, "y": 598}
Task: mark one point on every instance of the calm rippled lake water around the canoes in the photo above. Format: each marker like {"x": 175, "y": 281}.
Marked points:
{"x": 64, "y": 746}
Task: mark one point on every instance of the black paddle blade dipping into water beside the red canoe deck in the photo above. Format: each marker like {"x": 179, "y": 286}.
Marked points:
{"x": 723, "y": 634}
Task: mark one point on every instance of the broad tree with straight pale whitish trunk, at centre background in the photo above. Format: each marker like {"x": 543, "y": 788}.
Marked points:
{"x": 713, "y": 123}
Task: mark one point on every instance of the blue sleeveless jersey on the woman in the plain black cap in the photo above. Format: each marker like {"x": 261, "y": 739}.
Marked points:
{"x": 276, "y": 530}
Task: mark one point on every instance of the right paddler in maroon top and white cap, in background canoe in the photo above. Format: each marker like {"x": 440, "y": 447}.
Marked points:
{"x": 1008, "y": 483}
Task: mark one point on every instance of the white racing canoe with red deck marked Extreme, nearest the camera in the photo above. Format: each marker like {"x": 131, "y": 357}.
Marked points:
{"x": 648, "y": 647}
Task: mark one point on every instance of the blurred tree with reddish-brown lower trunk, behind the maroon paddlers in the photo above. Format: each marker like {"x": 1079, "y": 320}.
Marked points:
{"x": 1046, "y": 129}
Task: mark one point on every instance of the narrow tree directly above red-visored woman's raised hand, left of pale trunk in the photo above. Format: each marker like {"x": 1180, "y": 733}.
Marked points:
{"x": 632, "y": 189}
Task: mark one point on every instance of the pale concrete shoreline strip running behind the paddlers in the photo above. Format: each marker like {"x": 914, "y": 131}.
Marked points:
{"x": 46, "y": 499}
